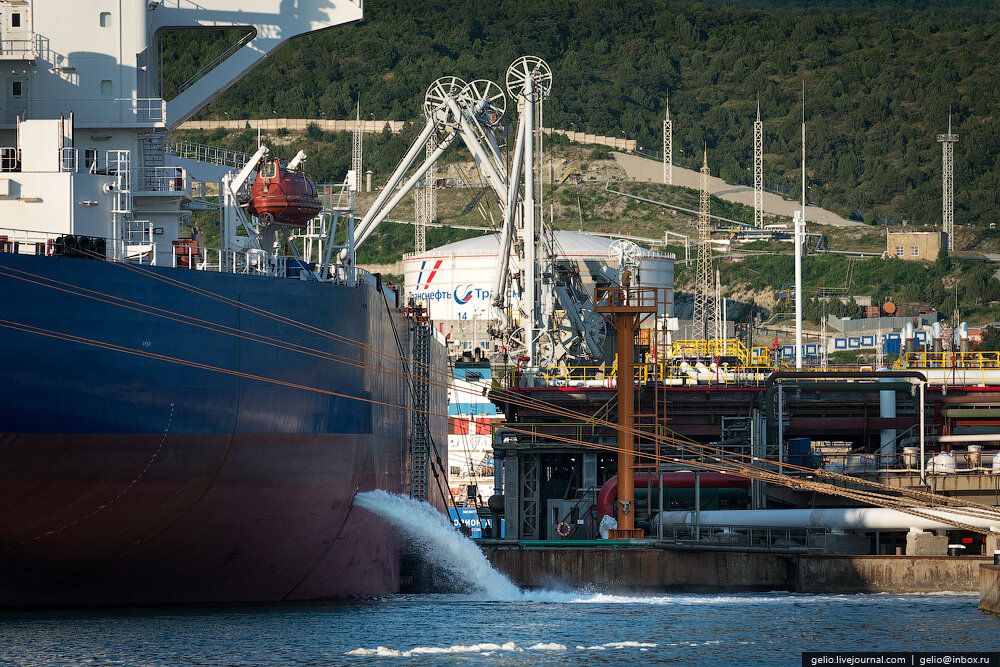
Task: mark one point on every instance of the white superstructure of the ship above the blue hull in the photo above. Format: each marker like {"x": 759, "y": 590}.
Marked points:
{"x": 83, "y": 123}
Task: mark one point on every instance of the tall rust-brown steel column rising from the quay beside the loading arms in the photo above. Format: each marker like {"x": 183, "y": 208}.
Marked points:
{"x": 625, "y": 327}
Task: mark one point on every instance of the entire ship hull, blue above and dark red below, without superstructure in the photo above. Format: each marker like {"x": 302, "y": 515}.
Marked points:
{"x": 182, "y": 436}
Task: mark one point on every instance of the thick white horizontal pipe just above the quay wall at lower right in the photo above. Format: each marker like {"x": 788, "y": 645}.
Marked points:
{"x": 849, "y": 518}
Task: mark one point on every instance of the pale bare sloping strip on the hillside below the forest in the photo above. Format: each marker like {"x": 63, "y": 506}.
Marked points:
{"x": 646, "y": 169}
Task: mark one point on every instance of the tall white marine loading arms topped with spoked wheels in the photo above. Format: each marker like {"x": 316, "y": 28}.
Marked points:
{"x": 556, "y": 318}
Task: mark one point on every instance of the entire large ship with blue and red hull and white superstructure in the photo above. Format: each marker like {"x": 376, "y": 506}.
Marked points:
{"x": 180, "y": 424}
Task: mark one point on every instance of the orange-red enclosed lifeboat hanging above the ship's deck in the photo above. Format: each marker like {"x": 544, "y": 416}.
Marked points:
{"x": 283, "y": 196}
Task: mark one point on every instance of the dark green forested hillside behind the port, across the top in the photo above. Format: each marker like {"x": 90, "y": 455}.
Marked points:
{"x": 879, "y": 83}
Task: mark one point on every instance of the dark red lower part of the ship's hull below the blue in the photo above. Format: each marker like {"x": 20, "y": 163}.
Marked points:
{"x": 184, "y": 519}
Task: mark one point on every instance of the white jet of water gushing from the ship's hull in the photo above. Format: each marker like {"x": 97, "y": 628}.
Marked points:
{"x": 440, "y": 542}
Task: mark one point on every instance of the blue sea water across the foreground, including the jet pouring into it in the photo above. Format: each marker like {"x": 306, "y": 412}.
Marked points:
{"x": 496, "y": 623}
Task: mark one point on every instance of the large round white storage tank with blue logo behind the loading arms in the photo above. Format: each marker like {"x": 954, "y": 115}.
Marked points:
{"x": 454, "y": 281}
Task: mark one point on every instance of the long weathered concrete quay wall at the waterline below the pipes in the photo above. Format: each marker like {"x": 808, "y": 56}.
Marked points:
{"x": 624, "y": 568}
